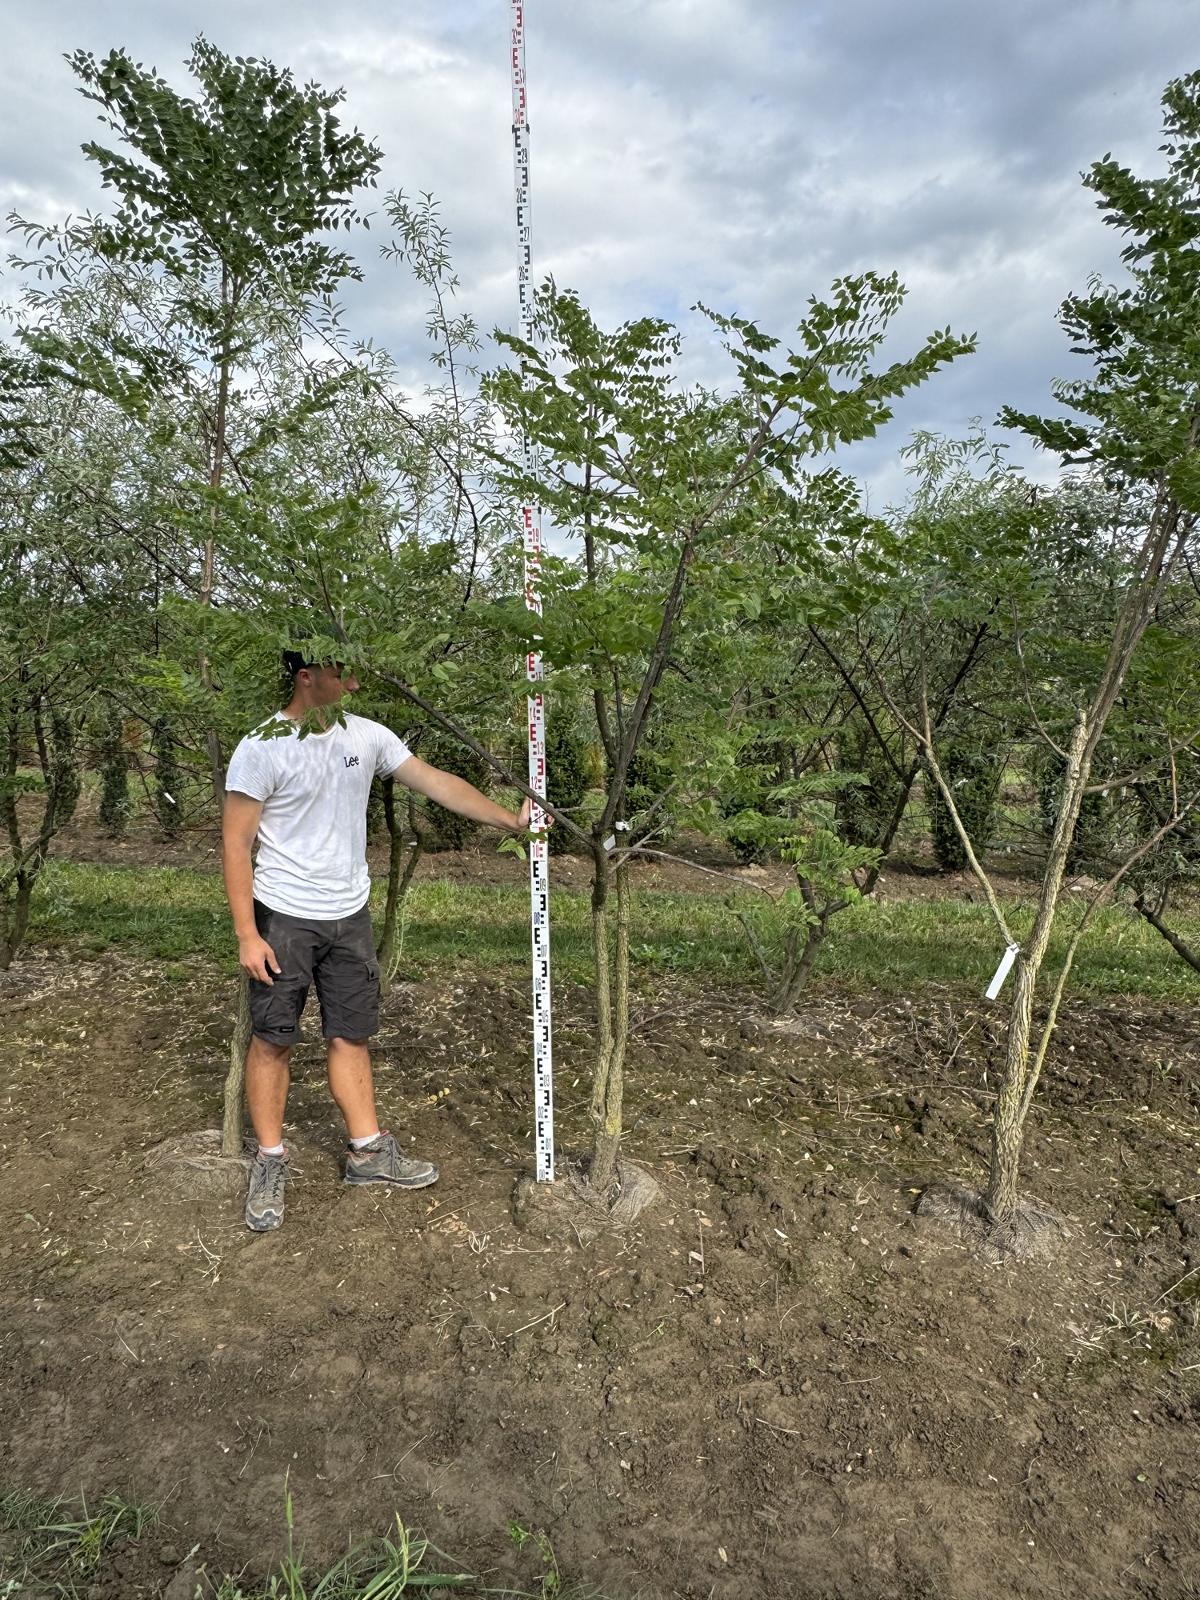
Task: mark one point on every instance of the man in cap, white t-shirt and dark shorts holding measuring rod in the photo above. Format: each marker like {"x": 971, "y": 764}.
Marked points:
{"x": 302, "y": 916}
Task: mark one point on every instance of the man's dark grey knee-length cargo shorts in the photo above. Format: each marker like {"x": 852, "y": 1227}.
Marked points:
{"x": 338, "y": 958}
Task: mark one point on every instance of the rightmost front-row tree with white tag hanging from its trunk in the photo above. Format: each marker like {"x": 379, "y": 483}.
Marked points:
{"x": 1138, "y": 425}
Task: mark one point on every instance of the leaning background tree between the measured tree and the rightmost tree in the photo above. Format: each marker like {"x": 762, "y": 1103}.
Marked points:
{"x": 826, "y": 769}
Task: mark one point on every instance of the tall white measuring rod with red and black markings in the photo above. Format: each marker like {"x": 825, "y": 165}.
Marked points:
{"x": 540, "y": 860}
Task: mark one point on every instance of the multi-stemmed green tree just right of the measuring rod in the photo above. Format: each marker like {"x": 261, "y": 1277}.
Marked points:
{"x": 662, "y": 489}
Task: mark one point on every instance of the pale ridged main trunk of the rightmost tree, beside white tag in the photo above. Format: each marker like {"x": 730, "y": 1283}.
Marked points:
{"x": 1009, "y": 1124}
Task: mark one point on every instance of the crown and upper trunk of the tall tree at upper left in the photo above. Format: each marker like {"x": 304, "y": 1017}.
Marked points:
{"x": 220, "y": 225}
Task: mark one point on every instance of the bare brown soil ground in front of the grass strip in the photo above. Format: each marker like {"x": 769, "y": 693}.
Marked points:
{"x": 782, "y": 1383}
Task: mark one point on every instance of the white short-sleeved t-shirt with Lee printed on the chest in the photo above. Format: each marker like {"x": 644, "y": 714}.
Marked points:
{"x": 313, "y": 834}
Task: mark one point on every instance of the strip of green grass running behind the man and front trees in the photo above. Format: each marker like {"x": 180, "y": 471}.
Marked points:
{"x": 177, "y": 913}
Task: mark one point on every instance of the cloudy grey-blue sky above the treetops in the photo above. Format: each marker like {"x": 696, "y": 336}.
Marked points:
{"x": 738, "y": 153}
